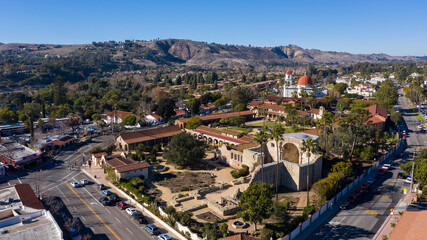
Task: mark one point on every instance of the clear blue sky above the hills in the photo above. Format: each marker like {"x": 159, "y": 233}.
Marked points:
{"x": 356, "y": 26}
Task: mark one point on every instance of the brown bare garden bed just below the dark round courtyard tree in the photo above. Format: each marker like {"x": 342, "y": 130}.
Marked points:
{"x": 185, "y": 181}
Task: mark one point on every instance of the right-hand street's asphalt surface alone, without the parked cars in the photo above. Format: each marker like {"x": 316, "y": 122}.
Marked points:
{"x": 367, "y": 215}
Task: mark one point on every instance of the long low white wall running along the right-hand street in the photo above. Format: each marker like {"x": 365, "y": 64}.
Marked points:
{"x": 329, "y": 204}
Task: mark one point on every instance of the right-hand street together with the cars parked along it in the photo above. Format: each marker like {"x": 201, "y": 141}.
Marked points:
{"x": 364, "y": 213}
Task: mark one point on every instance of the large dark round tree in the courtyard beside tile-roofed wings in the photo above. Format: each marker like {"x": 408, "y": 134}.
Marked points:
{"x": 184, "y": 150}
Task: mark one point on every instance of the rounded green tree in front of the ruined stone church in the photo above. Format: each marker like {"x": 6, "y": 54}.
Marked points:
{"x": 256, "y": 203}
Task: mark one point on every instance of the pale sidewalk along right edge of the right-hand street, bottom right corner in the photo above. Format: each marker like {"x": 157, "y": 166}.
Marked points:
{"x": 386, "y": 228}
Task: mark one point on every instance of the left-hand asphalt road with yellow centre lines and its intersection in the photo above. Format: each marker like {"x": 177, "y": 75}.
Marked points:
{"x": 106, "y": 222}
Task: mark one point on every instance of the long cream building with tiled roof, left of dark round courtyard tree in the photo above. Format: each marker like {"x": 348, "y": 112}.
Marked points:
{"x": 149, "y": 137}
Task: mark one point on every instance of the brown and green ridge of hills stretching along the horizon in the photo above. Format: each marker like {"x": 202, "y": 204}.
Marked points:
{"x": 192, "y": 53}
